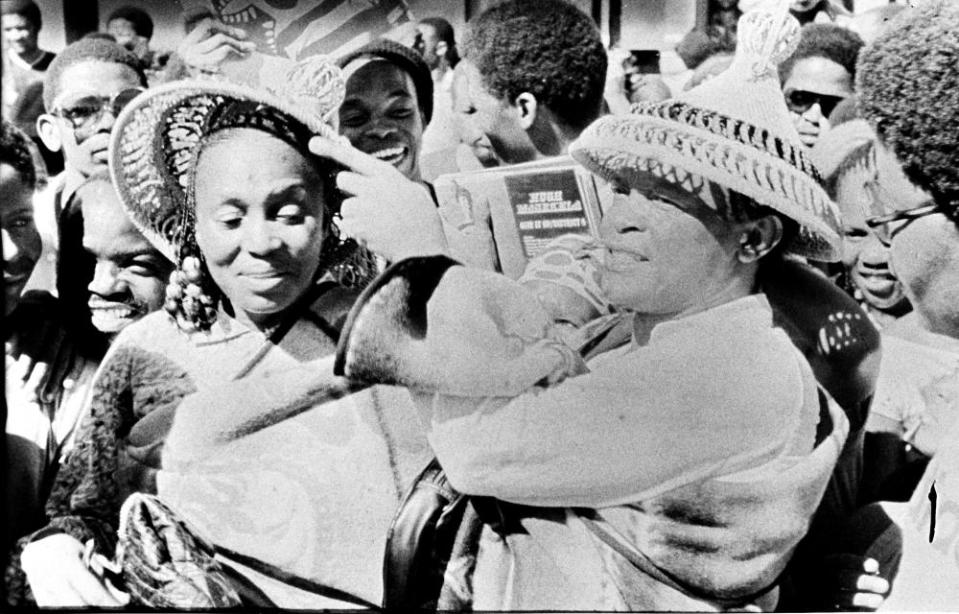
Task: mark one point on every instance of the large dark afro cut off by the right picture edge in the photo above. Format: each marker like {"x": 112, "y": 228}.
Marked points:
{"x": 908, "y": 86}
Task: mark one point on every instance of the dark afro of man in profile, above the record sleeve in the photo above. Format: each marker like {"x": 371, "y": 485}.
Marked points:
{"x": 548, "y": 48}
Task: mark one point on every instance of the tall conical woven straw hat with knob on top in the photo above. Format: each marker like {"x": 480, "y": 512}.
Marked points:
{"x": 733, "y": 132}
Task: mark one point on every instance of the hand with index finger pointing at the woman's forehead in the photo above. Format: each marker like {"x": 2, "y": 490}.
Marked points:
{"x": 394, "y": 217}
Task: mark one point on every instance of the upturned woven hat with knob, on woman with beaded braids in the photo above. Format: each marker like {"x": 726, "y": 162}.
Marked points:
{"x": 157, "y": 137}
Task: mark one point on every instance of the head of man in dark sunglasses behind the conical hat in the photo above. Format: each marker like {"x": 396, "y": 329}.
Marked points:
{"x": 819, "y": 75}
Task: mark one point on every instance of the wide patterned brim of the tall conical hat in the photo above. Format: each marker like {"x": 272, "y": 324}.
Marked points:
{"x": 638, "y": 143}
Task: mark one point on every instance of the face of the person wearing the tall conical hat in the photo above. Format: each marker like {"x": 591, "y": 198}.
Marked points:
{"x": 666, "y": 251}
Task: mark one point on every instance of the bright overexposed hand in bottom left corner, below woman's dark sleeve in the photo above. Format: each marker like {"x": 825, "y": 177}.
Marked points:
{"x": 59, "y": 576}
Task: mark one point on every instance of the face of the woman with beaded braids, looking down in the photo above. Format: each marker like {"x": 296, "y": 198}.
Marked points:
{"x": 259, "y": 209}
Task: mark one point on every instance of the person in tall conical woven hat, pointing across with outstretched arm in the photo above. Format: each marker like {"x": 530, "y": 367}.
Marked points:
{"x": 681, "y": 470}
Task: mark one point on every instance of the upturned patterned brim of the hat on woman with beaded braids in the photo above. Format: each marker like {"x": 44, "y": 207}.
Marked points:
{"x": 154, "y": 142}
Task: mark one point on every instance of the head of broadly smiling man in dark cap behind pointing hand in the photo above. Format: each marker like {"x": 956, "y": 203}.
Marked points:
{"x": 388, "y": 104}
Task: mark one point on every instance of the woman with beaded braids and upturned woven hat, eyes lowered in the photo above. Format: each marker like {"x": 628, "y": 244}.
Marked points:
{"x": 266, "y": 459}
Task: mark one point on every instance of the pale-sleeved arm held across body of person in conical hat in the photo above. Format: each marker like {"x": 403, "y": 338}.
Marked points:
{"x": 647, "y": 421}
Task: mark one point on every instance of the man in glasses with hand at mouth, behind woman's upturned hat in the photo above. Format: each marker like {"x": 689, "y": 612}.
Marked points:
{"x": 84, "y": 89}
